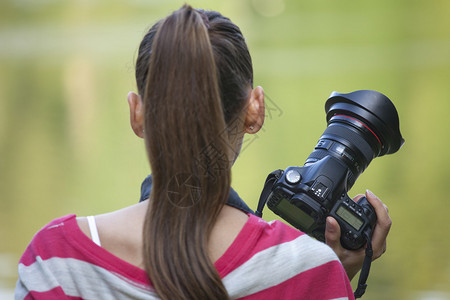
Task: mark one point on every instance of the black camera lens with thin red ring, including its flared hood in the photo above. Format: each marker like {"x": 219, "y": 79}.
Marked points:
{"x": 362, "y": 125}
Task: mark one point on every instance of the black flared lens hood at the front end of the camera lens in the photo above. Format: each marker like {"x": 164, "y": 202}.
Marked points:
{"x": 374, "y": 110}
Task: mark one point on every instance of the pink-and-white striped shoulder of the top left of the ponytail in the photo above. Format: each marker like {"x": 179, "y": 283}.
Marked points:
{"x": 51, "y": 266}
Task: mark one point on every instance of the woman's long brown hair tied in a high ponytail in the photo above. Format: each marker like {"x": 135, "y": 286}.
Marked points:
{"x": 193, "y": 72}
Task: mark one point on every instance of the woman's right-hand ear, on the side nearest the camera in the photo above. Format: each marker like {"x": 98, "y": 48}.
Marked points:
{"x": 254, "y": 119}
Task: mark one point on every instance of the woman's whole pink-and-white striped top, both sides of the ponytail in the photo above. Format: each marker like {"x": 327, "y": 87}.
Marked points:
{"x": 266, "y": 261}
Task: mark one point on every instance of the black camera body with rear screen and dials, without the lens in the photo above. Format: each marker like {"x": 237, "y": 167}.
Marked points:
{"x": 305, "y": 196}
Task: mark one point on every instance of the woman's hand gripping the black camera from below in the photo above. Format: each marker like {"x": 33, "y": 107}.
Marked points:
{"x": 352, "y": 260}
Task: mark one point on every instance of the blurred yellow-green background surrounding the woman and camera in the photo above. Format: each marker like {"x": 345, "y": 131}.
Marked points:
{"x": 66, "y": 145}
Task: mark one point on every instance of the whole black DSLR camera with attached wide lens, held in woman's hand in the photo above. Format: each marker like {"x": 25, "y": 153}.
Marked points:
{"x": 362, "y": 125}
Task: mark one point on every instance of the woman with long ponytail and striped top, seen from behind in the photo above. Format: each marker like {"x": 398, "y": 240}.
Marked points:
{"x": 195, "y": 103}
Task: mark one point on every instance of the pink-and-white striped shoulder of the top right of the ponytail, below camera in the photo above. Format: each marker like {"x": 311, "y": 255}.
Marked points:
{"x": 284, "y": 262}
